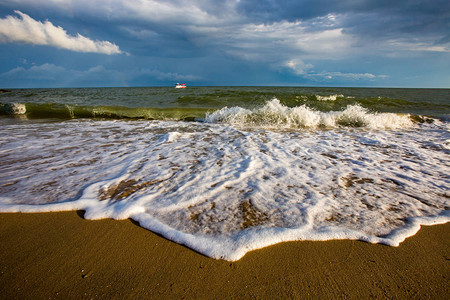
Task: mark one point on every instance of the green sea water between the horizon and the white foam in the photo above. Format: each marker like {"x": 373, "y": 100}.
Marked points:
{"x": 193, "y": 103}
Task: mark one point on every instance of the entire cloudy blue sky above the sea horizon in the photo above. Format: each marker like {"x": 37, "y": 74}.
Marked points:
{"x": 112, "y": 43}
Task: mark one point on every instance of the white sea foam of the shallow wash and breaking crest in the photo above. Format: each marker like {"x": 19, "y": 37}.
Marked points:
{"x": 225, "y": 190}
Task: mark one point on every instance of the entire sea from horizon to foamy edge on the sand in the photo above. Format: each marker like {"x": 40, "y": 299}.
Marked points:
{"x": 226, "y": 170}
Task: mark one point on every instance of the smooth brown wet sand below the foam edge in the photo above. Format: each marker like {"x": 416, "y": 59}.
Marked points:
{"x": 61, "y": 255}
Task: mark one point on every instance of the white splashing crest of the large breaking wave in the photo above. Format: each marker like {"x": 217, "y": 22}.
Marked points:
{"x": 275, "y": 115}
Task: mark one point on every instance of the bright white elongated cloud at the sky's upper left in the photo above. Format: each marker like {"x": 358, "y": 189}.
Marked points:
{"x": 29, "y": 31}
